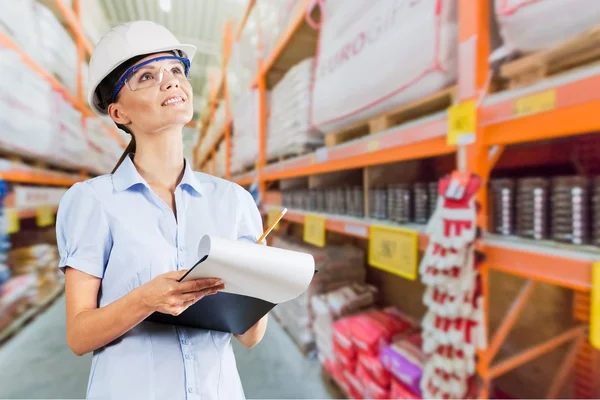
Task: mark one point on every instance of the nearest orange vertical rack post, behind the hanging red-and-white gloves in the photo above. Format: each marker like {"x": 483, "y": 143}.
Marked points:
{"x": 473, "y": 53}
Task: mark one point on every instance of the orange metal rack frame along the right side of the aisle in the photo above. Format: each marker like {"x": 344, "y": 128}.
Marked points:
{"x": 500, "y": 122}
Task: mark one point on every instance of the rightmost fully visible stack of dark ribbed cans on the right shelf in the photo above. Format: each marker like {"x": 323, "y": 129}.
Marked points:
{"x": 570, "y": 209}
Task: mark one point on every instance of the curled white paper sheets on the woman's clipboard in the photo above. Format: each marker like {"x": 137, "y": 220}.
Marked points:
{"x": 268, "y": 273}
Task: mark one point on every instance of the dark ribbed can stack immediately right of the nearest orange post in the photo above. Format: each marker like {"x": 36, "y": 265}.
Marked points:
{"x": 503, "y": 193}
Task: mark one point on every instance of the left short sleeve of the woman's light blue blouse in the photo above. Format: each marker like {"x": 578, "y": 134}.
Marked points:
{"x": 82, "y": 231}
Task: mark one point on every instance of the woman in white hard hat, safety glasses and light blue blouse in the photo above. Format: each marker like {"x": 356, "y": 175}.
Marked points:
{"x": 126, "y": 238}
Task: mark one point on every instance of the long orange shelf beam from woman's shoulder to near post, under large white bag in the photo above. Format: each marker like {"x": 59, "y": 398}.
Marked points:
{"x": 420, "y": 139}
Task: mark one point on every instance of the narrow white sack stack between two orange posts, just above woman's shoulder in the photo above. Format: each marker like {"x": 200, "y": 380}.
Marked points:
{"x": 244, "y": 153}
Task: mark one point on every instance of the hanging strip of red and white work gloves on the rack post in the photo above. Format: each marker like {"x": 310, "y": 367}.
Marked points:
{"x": 453, "y": 327}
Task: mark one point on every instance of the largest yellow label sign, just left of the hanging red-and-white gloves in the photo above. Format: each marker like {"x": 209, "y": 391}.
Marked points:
{"x": 395, "y": 250}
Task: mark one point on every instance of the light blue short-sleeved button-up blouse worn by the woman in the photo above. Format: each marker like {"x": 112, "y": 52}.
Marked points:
{"x": 116, "y": 228}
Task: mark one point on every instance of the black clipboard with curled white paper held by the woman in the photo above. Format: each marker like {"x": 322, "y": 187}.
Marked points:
{"x": 256, "y": 279}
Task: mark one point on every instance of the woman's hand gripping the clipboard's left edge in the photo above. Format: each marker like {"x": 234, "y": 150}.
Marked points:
{"x": 165, "y": 294}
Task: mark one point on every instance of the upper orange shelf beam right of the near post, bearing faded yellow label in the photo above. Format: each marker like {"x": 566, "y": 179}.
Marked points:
{"x": 573, "y": 111}
